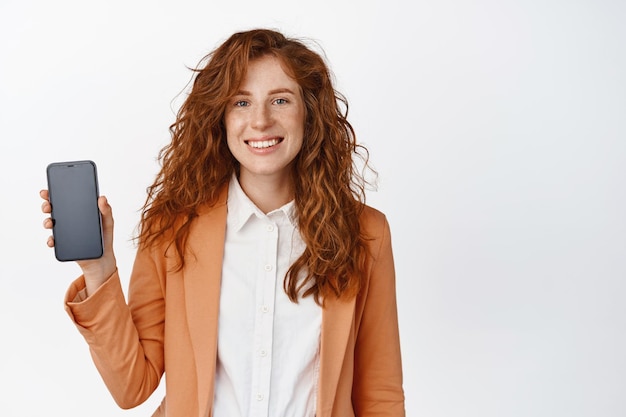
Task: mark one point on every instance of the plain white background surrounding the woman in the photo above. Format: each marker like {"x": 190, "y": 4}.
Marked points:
{"x": 498, "y": 129}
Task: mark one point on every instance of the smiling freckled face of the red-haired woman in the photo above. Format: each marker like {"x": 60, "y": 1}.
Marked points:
{"x": 265, "y": 122}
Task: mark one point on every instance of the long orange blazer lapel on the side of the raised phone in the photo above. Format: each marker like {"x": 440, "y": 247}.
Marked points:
{"x": 202, "y": 277}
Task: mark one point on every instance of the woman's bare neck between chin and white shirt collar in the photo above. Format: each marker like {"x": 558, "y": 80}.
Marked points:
{"x": 267, "y": 192}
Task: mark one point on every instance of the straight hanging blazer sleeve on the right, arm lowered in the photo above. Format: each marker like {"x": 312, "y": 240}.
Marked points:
{"x": 377, "y": 386}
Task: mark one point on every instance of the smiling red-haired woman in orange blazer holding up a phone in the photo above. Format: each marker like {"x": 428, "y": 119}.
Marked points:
{"x": 263, "y": 285}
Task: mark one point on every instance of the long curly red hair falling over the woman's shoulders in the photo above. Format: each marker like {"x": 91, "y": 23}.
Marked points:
{"x": 329, "y": 187}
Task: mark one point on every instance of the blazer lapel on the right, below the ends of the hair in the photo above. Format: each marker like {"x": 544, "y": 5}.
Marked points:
{"x": 337, "y": 321}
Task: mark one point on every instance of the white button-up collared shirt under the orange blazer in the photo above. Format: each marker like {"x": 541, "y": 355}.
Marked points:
{"x": 268, "y": 346}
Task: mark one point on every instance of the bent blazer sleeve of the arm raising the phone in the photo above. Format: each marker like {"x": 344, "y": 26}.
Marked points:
{"x": 126, "y": 343}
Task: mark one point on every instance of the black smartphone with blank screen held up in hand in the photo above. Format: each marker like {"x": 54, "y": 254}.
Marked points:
{"x": 77, "y": 225}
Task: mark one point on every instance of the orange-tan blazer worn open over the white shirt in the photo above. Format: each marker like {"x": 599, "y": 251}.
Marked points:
{"x": 170, "y": 325}
